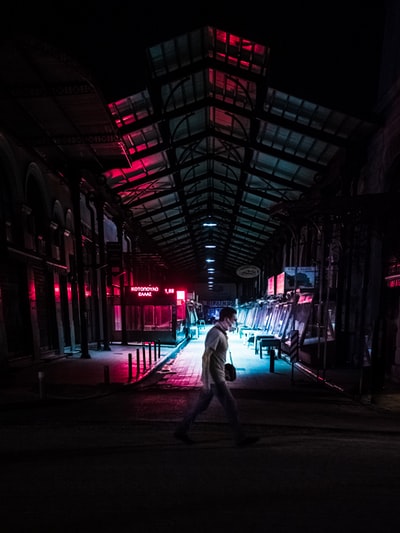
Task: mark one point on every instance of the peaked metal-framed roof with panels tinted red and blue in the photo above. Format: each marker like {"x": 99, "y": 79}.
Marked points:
{"x": 207, "y": 140}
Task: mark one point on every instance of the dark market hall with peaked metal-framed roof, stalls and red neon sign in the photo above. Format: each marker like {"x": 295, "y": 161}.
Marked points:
{"x": 137, "y": 219}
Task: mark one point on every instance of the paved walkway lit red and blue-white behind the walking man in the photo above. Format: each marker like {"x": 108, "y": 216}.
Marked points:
{"x": 73, "y": 376}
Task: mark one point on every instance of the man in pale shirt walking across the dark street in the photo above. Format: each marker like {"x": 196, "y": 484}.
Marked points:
{"x": 214, "y": 383}
